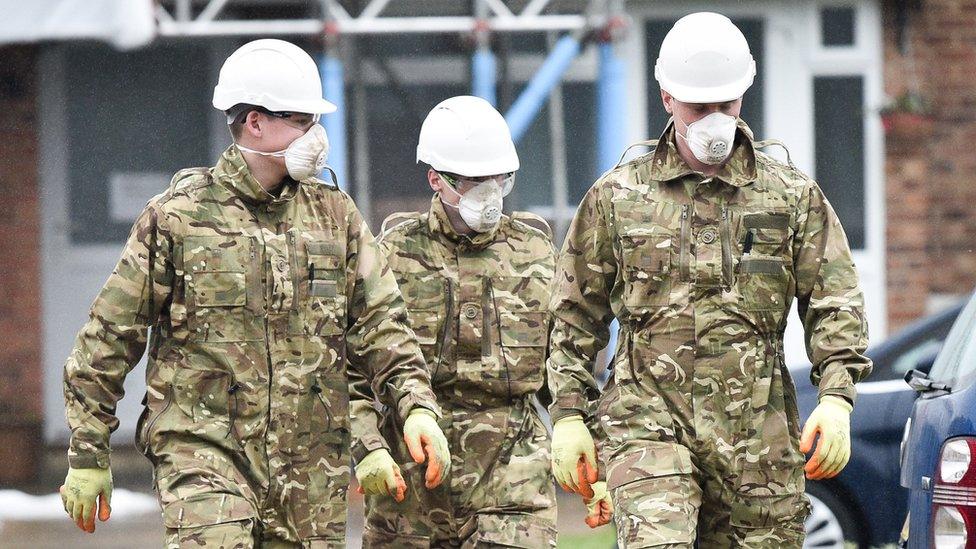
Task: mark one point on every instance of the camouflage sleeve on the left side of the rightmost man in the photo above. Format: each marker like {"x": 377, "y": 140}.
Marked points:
{"x": 580, "y": 308}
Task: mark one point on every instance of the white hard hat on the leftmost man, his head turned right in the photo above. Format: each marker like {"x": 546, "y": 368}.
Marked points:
{"x": 273, "y": 74}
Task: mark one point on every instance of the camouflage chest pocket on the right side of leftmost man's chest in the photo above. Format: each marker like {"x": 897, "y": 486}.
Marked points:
{"x": 325, "y": 309}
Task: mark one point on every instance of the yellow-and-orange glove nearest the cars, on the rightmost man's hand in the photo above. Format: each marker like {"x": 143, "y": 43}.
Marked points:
{"x": 832, "y": 420}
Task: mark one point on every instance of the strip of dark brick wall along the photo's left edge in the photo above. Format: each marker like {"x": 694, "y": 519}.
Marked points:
{"x": 21, "y": 383}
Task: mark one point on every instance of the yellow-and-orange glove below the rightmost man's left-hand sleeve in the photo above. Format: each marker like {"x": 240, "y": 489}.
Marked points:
{"x": 573, "y": 456}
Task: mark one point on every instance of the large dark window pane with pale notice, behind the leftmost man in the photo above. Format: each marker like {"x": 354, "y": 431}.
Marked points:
{"x": 158, "y": 115}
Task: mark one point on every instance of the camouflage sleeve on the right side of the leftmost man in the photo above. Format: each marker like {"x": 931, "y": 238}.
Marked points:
{"x": 379, "y": 342}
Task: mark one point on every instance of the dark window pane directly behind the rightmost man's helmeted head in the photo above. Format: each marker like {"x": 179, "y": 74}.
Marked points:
{"x": 752, "y": 103}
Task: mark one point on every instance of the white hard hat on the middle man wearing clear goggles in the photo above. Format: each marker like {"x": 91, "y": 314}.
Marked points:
{"x": 466, "y": 136}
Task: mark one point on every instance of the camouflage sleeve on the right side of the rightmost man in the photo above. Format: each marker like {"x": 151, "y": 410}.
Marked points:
{"x": 829, "y": 298}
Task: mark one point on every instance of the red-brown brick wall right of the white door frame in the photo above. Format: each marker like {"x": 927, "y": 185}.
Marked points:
{"x": 931, "y": 174}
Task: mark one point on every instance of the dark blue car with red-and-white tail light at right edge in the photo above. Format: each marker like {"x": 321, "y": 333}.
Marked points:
{"x": 938, "y": 468}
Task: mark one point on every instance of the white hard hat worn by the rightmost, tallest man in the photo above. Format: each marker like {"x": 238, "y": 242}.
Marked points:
{"x": 705, "y": 59}
